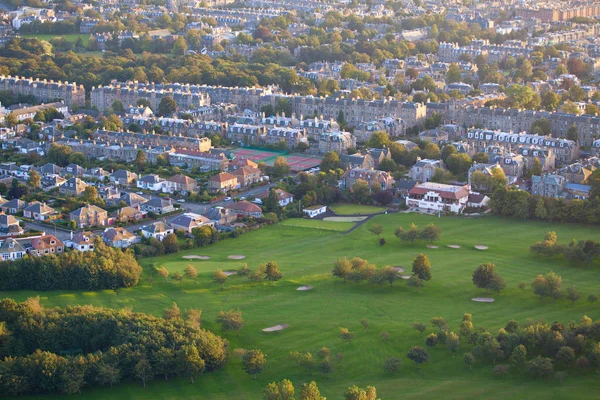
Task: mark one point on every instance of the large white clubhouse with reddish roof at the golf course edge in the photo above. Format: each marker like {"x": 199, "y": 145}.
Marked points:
{"x": 434, "y": 197}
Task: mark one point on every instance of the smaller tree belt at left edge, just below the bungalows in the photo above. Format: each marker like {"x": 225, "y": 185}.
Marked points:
{"x": 104, "y": 268}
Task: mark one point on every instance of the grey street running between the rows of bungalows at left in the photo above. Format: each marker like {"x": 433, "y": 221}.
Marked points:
{"x": 198, "y": 208}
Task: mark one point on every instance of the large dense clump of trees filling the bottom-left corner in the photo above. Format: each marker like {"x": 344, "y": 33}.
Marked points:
{"x": 64, "y": 350}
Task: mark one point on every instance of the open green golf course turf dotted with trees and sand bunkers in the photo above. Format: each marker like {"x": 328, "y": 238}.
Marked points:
{"x": 306, "y": 256}
